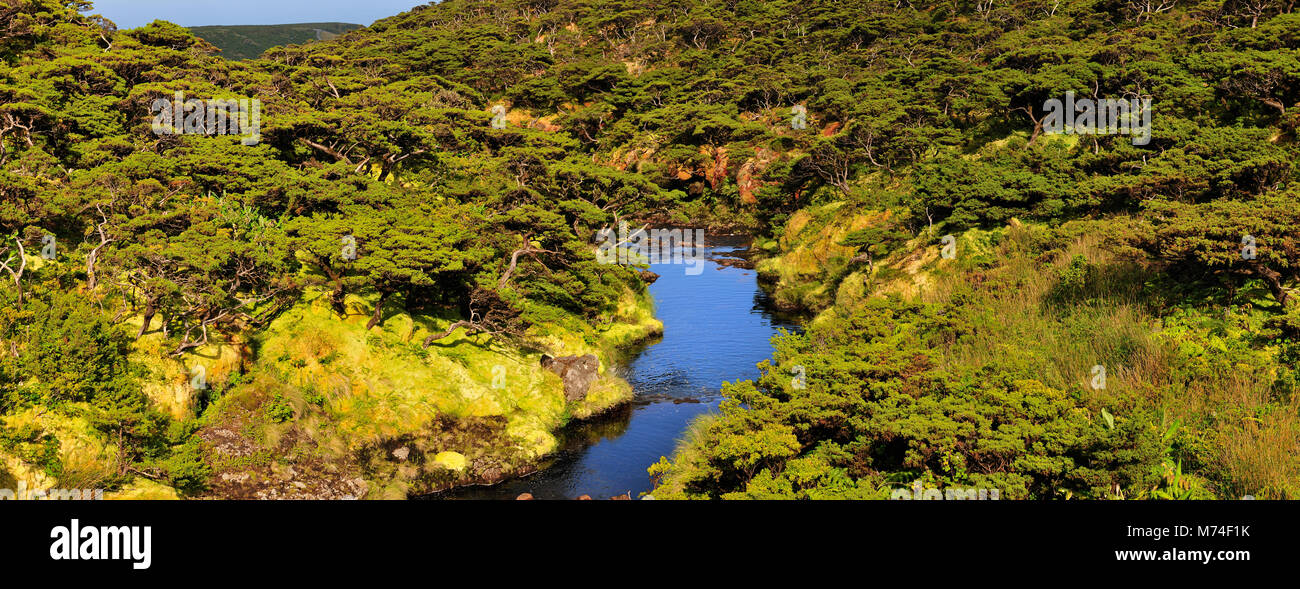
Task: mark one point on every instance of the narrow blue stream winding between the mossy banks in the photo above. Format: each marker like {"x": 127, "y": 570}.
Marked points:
{"x": 717, "y": 330}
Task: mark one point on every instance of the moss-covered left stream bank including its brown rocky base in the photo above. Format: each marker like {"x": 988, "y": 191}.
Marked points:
{"x": 333, "y": 410}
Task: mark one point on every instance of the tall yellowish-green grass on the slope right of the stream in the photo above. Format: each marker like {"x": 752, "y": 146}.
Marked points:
{"x": 1035, "y": 314}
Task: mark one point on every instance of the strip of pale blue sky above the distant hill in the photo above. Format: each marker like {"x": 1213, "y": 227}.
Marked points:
{"x": 133, "y": 14}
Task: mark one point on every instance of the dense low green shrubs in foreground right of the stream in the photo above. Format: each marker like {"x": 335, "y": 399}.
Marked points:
{"x": 878, "y": 404}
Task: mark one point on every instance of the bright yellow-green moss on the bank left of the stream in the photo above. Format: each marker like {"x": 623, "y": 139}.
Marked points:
{"x": 484, "y": 400}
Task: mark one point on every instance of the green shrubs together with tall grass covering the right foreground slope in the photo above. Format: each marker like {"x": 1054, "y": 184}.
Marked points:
{"x": 989, "y": 387}
